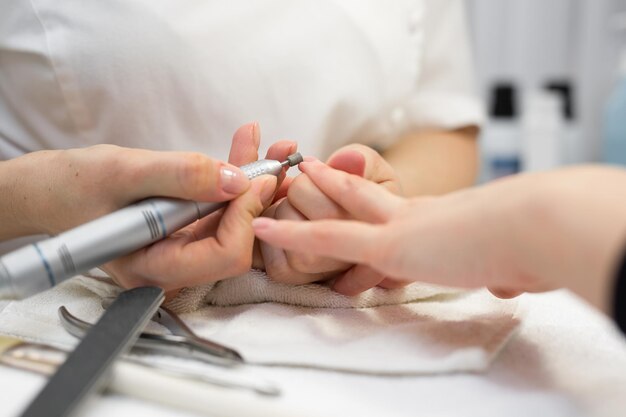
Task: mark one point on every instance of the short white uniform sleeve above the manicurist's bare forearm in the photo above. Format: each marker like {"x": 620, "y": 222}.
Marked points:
{"x": 446, "y": 95}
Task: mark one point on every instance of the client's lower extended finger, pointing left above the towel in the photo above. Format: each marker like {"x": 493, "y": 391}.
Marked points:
{"x": 348, "y": 241}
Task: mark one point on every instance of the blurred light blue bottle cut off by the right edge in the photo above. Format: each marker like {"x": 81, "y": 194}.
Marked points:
{"x": 614, "y": 130}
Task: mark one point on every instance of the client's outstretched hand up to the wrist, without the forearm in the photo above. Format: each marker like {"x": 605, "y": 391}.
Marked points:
{"x": 462, "y": 239}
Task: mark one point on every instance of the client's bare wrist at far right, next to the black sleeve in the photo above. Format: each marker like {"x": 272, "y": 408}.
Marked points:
{"x": 573, "y": 231}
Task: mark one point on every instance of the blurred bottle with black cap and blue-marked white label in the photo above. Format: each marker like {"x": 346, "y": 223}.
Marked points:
{"x": 500, "y": 140}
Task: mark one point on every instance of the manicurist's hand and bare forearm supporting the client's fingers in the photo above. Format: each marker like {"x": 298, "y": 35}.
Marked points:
{"x": 423, "y": 163}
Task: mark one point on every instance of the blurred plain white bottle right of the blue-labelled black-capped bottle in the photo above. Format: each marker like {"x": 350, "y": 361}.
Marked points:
{"x": 542, "y": 131}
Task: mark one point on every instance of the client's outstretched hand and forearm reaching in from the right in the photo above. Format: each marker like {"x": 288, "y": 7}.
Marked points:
{"x": 528, "y": 233}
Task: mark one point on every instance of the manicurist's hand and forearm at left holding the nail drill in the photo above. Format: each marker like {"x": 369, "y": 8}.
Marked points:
{"x": 51, "y": 191}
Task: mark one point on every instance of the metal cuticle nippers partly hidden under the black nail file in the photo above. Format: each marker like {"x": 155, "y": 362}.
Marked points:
{"x": 183, "y": 342}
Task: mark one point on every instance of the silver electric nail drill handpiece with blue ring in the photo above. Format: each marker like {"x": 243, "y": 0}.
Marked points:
{"x": 39, "y": 266}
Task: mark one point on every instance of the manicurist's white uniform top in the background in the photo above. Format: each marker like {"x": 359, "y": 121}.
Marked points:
{"x": 165, "y": 74}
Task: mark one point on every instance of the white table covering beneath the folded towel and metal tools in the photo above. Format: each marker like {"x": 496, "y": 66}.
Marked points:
{"x": 566, "y": 360}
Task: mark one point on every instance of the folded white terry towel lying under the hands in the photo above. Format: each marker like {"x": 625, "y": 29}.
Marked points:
{"x": 421, "y": 329}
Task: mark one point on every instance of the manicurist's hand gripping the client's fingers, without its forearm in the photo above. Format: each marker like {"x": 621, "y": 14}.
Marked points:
{"x": 305, "y": 201}
